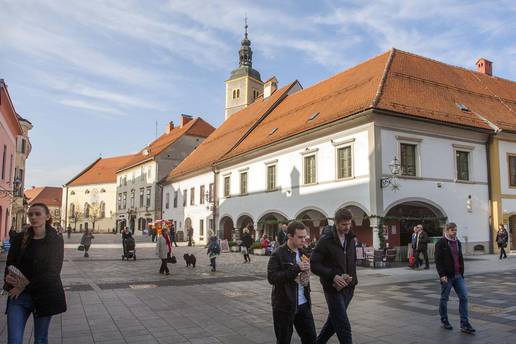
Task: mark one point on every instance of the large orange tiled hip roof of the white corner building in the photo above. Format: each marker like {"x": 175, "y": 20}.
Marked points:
{"x": 396, "y": 81}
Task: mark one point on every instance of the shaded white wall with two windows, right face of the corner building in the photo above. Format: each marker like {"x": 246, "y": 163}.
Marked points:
{"x": 437, "y": 166}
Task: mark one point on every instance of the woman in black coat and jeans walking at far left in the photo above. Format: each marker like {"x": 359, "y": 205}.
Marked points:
{"x": 32, "y": 277}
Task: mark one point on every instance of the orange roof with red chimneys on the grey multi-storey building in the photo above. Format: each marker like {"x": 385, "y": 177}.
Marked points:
{"x": 196, "y": 127}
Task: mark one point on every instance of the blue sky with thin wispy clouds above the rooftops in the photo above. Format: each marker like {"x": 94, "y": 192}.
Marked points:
{"x": 94, "y": 77}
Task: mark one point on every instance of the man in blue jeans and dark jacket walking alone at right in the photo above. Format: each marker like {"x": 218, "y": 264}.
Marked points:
{"x": 450, "y": 267}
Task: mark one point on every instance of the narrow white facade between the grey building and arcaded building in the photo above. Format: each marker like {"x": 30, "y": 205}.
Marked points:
{"x": 195, "y": 212}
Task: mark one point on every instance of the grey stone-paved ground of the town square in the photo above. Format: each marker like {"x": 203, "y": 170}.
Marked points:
{"x": 110, "y": 301}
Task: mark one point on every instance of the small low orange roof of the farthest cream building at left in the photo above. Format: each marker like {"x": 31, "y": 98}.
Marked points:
{"x": 101, "y": 171}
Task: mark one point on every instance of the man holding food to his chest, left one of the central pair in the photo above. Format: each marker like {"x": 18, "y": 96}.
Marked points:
{"x": 287, "y": 271}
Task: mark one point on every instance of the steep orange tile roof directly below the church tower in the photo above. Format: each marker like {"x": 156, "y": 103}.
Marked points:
{"x": 227, "y": 135}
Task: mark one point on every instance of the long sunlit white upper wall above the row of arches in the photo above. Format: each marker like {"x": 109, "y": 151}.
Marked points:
{"x": 327, "y": 195}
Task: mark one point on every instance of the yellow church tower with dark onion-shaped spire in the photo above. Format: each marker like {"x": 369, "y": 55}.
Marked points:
{"x": 244, "y": 84}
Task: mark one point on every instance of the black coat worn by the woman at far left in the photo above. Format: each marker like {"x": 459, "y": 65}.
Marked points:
{"x": 45, "y": 287}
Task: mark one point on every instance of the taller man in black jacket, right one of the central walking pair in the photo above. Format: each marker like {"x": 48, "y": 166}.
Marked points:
{"x": 334, "y": 261}
